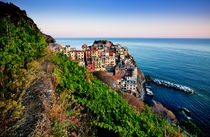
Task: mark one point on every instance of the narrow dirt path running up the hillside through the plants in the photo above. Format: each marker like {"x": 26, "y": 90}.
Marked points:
{"x": 37, "y": 102}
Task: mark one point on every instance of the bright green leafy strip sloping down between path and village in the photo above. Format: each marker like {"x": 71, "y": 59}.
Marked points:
{"x": 112, "y": 111}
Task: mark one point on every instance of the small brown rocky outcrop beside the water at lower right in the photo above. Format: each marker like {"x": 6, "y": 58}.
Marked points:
{"x": 164, "y": 112}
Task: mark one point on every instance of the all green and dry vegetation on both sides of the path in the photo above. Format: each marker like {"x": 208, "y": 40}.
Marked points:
{"x": 83, "y": 106}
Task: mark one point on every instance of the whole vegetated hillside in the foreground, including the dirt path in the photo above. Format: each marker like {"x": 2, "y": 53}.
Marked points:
{"x": 46, "y": 94}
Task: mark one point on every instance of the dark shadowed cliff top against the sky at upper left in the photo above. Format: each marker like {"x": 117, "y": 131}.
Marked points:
{"x": 16, "y": 14}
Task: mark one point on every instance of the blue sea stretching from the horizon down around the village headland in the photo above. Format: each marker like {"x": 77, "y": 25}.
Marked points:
{"x": 180, "y": 61}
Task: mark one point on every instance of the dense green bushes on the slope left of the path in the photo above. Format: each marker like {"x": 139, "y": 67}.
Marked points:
{"x": 19, "y": 45}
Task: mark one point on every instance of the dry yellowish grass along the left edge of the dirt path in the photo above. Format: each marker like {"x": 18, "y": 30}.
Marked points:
{"x": 11, "y": 106}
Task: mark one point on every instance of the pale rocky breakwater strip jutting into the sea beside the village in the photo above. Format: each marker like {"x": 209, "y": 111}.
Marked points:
{"x": 173, "y": 85}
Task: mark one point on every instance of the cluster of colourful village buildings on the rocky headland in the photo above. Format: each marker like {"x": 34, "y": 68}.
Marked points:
{"x": 105, "y": 56}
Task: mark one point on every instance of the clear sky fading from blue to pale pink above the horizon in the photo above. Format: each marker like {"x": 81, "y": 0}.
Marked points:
{"x": 120, "y": 18}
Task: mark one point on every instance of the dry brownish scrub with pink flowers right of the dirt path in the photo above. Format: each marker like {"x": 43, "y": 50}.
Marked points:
{"x": 69, "y": 118}
